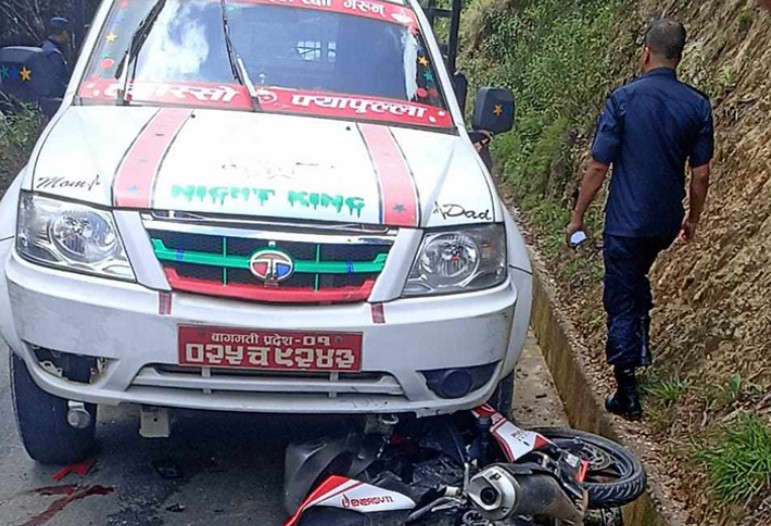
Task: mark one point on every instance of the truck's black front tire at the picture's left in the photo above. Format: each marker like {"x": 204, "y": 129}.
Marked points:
{"x": 42, "y": 421}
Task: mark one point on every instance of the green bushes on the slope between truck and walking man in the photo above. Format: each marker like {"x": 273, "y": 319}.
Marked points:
{"x": 554, "y": 56}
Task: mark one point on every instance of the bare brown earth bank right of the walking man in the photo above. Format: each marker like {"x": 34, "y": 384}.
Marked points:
{"x": 714, "y": 307}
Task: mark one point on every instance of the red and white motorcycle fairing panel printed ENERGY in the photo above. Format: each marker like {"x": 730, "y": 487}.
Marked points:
{"x": 344, "y": 493}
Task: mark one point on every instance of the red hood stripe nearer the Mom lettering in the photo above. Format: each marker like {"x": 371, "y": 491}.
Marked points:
{"x": 133, "y": 186}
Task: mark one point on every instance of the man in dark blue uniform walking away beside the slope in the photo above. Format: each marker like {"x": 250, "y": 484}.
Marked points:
{"x": 648, "y": 130}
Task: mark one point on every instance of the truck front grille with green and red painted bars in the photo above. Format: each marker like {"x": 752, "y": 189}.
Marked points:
{"x": 329, "y": 268}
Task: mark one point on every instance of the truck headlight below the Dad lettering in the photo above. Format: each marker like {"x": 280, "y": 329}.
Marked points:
{"x": 459, "y": 261}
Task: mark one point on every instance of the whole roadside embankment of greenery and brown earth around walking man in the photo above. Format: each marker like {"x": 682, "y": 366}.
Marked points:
{"x": 707, "y": 396}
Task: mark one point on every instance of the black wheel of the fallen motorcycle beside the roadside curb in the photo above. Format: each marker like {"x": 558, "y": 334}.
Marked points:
{"x": 615, "y": 476}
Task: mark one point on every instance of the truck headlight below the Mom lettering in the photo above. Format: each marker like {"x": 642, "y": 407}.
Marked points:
{"x": 71, "y": 237}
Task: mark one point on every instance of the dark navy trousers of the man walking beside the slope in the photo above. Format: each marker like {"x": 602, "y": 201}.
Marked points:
{"x": 627, "y": 297}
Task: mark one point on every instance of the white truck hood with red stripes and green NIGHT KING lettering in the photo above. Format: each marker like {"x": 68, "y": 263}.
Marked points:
{"x": 263, "y": 165}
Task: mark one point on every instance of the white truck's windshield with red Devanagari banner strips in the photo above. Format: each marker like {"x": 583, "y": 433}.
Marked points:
{"x": 366, "y": 48}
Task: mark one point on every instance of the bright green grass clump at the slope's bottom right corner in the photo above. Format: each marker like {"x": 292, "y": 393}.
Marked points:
{"x": 738, "y": 461}
